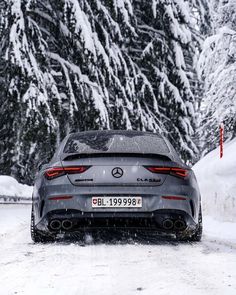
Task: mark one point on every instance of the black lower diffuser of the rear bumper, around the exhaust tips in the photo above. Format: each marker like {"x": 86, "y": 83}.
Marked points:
{"x": 128, "y": 222}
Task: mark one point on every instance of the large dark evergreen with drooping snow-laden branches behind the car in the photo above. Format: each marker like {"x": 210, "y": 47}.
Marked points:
{"x": 74, "y": 65}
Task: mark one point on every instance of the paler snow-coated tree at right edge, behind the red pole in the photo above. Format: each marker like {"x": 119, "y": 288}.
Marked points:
{"x": 217, "y": 68}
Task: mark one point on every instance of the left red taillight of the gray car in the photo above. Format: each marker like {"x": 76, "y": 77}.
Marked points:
{"x": 55, "y": 172}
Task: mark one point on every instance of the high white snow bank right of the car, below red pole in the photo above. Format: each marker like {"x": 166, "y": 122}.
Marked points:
{"x": 217, "y": 181}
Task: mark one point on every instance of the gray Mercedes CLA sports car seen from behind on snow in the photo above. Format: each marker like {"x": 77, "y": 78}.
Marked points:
{"x": 119, "y": 180}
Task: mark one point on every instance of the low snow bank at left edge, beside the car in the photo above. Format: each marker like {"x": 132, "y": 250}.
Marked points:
{"x": 10, "y": 187}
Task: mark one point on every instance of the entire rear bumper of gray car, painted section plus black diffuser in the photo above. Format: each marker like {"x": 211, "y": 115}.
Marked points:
{"x": 150, "y": 217}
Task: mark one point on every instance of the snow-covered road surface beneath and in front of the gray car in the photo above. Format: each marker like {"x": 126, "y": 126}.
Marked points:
{"x": 208, "y": 267}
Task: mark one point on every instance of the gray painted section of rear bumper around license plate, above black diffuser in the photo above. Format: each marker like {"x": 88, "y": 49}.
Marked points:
{"x": 150, "y": 203}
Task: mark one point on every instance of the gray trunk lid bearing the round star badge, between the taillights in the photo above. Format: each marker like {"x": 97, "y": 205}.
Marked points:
{"x": 113, "y": 170}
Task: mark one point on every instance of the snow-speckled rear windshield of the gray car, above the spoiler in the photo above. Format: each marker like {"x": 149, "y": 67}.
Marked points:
{"x": 115, "y": 142}
